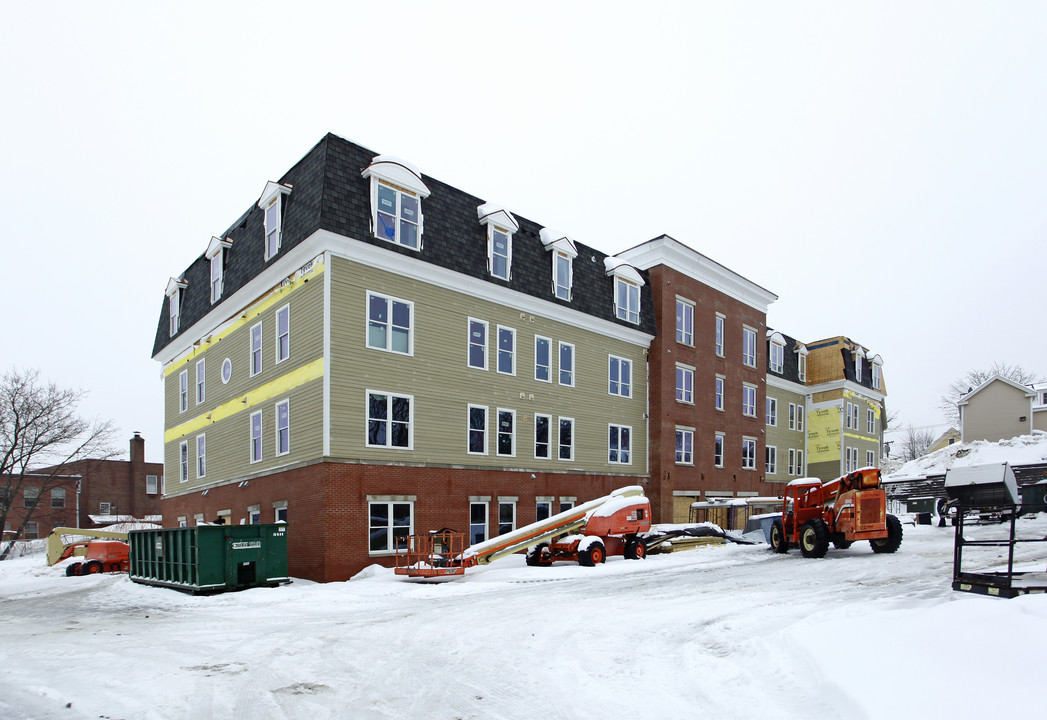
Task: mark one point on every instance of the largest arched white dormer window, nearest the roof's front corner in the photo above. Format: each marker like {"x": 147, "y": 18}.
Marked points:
{"x": 397, "y": 192}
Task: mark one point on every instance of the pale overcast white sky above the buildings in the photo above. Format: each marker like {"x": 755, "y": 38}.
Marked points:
{"x": 881, "y": 167}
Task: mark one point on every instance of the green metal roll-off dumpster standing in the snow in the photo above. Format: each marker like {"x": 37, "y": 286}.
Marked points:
{"x": 210, "y": 558}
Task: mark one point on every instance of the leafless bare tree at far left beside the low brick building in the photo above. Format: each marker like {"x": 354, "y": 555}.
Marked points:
{"x": 41, "y": 436}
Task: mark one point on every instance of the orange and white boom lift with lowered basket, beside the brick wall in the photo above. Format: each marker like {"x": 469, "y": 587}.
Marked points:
{"x": 608, "y": 526}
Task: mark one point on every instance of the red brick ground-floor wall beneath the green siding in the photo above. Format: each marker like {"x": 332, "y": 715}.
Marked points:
{"x": 328, "y": 514}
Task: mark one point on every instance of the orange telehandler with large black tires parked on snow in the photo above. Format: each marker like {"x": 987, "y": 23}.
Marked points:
{"x": 842, "y": 511}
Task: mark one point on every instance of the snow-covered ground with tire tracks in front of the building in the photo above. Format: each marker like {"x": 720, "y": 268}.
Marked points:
{"x": 729, "y": 632}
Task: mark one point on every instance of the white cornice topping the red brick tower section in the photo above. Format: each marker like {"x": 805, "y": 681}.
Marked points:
{"x": 673, "y": 254}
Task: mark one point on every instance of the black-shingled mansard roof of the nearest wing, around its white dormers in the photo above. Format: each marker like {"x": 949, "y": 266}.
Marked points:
{"x": 329, "y": 192}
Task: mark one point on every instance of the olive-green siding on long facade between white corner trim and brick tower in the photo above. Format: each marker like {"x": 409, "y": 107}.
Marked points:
{"x": 443, "y": 386}
